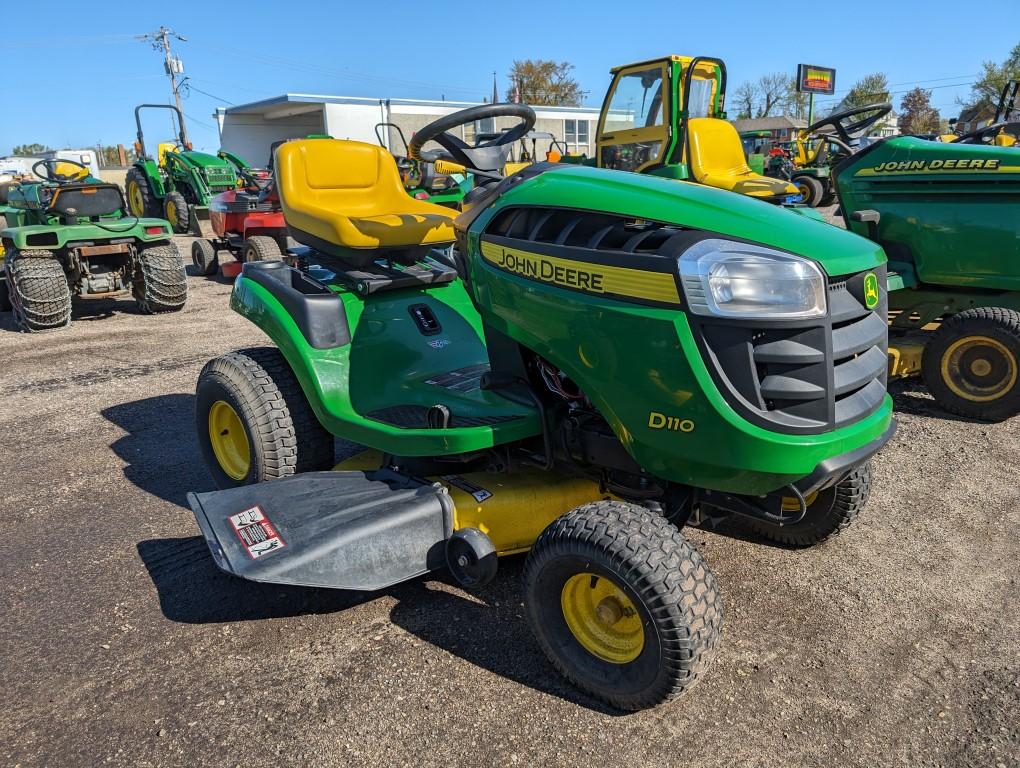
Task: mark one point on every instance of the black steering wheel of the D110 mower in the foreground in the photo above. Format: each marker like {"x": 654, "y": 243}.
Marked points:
{"x": 488, "y": 159}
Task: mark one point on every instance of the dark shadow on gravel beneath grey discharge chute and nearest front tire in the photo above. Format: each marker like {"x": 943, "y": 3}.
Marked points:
{"x": 487, "y": 629}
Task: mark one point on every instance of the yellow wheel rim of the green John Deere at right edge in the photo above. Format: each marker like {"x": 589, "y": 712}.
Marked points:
{"x": 980, "y": 369}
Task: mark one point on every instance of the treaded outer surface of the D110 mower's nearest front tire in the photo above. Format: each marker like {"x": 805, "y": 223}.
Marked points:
{"x": 656, "y": 559}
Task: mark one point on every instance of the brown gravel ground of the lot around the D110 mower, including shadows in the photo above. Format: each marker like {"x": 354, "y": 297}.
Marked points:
{"x": 898, "y": 644}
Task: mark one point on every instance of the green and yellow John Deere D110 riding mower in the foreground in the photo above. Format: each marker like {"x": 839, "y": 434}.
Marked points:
{"x": 601, "y": 360}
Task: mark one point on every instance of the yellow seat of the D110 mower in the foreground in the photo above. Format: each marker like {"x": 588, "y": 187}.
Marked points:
{"x": 346, "y": 199}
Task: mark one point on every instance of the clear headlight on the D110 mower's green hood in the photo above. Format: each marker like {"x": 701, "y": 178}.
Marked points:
{"x": 727, "y": 279}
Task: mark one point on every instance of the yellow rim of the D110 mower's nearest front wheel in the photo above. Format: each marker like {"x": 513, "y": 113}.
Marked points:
{"x": 602, "y": 619}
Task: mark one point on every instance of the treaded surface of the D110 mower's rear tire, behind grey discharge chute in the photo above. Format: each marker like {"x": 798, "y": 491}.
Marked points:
{"x": 290, "y": 438}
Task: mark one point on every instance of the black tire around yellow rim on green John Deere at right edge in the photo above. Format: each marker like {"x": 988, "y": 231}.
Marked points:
{"x": 1000, "y": 325}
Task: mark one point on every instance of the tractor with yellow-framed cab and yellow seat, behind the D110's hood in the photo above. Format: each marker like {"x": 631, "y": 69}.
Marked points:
{"x": 668, "y": 118}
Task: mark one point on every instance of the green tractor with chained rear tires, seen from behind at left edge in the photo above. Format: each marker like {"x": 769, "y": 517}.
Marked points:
{"x": 70, "y": 236}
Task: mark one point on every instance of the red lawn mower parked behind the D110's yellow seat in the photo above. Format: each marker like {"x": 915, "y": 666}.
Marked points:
{"x": 248, "y": 222}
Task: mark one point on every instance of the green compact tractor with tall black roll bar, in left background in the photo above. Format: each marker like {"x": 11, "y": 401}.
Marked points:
{"x": 179, "y": 183}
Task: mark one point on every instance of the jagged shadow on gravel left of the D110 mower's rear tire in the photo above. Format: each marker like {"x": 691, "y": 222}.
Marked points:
{"x": 161, "y": 448}
